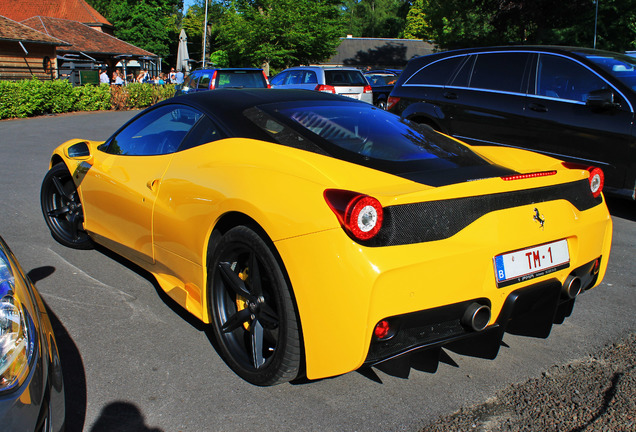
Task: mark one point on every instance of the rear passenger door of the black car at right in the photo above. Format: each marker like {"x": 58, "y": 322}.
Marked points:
{"x": 485, "y": 101}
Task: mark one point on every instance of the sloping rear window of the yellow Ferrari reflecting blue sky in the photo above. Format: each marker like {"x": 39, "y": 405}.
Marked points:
{"x": 366, "y": 135}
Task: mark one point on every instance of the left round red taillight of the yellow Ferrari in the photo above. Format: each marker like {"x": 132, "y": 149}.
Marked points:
{"x": 360, "y": 215}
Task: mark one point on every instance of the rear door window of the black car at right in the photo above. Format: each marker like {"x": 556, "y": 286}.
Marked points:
{"x": 500, "y": 71}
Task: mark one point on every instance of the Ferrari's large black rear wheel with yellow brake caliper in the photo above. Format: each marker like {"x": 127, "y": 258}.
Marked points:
{"x": 253, "y": 315}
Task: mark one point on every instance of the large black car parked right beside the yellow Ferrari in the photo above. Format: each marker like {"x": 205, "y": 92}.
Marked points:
{"x": 576, "y": 104}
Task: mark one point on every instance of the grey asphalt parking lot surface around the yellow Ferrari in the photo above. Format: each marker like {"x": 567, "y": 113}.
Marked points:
{"x": 132, "y": 357}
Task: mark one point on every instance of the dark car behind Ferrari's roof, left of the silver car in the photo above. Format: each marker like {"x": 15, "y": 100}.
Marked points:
{"x": 215, "y": 78}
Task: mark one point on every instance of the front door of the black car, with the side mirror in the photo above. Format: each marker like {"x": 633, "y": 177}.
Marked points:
{"x": 562, "y": 125}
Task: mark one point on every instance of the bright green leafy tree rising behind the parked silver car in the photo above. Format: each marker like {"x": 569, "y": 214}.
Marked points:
{"x": 280, "y": 33}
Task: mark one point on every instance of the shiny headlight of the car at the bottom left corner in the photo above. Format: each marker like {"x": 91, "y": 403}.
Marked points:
{"x": 17, "y": 330}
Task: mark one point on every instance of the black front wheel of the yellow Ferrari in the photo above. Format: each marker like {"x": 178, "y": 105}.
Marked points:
{"x": 62, "y": 209}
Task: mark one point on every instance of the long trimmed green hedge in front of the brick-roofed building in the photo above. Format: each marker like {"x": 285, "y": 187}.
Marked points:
{"x": 34, "y": 97}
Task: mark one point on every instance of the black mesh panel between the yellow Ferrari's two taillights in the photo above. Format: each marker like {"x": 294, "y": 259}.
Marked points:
{"x": 437, "y": 220}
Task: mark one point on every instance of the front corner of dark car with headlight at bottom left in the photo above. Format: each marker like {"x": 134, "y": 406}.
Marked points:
{"x": 31, "y": 384}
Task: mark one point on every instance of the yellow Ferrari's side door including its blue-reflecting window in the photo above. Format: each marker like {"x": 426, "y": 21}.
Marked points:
{"x": 120, "y": 188}
